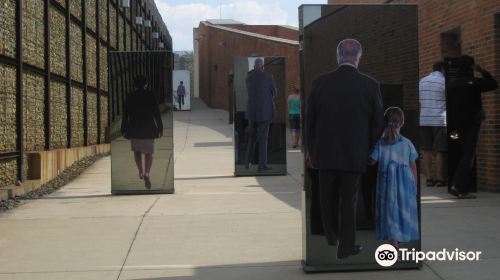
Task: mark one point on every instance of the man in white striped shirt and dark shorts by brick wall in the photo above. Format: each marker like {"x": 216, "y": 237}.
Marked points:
{"x": 432, "y": 95}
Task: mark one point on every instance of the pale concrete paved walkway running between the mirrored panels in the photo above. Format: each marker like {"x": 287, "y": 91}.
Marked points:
{"x": 215, "y": 226}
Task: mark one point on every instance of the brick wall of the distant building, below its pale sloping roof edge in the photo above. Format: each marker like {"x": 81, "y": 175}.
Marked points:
{"x": 218, "y": 48}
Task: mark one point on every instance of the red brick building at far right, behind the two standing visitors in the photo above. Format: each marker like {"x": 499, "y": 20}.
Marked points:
{"x": 450, "y": 28}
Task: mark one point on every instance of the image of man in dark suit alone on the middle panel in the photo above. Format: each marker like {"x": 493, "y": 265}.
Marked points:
{"x": 260, "y": 111}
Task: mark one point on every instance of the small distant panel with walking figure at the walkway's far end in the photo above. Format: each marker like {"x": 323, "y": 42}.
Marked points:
{"x": 182, "y": 90}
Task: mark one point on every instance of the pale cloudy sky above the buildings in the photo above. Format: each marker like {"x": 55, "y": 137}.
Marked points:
{"x": 181, "y": 16}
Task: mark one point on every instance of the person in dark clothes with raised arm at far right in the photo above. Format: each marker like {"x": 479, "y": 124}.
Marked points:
{"x": 464, "y": 93}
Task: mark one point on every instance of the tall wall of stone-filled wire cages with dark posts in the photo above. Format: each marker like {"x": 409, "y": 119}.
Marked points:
{"x": 54, "y": 72}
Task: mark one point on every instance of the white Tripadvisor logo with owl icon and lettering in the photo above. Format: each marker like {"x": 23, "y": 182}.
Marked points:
{"x": 386, "y": 255}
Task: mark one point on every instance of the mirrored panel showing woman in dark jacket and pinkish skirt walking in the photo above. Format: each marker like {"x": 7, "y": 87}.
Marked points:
{"x": 141, "y": 112}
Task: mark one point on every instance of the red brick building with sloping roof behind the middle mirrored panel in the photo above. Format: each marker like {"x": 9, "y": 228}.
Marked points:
{"x": 217, "y": 43}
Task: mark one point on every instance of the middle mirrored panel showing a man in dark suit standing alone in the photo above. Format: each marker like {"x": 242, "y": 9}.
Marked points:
{"x": 259, "y": 111}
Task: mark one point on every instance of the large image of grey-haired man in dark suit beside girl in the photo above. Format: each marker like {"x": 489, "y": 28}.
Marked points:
{"x": 343, "y": 122}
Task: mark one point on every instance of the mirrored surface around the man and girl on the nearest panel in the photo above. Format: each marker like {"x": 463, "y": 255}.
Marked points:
{"x": 388, "y": 34}
